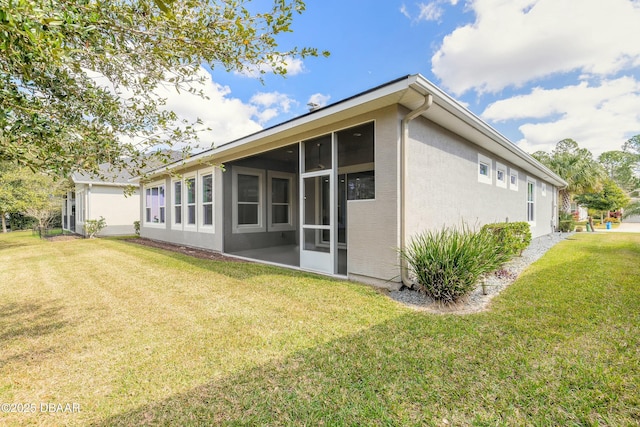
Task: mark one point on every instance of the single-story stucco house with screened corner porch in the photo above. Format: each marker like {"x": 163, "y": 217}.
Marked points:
{"x": 340, "y": 189}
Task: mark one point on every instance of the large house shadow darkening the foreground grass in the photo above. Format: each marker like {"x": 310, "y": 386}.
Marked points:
{"x": 411, "y": 370}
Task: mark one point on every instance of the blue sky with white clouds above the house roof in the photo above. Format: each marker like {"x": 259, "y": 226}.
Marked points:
{"x": 538, "y": 71}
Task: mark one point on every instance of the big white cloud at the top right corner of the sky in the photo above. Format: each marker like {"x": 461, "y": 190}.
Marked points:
{"x": 513, "y": 42}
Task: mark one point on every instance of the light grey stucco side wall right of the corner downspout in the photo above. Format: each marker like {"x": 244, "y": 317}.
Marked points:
{"x": 443, "y": 188}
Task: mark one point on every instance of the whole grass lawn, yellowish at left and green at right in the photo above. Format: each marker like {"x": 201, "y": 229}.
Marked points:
{"x": 134, "y": 336}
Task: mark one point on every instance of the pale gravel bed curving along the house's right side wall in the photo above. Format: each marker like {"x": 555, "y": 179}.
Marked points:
{"x": 493, "y": 283}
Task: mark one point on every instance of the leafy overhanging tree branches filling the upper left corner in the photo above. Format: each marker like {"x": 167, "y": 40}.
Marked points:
{"x": 78, "y": 77}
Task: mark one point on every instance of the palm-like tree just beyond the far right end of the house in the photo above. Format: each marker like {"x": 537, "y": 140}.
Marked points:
{"x": 576, "y": 166}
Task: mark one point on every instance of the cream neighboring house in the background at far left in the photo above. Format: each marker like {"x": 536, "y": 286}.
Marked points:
{"x": 92, "y": 198}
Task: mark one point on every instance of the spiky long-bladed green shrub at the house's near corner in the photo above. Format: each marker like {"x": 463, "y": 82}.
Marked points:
{"x": 447, "y": 264}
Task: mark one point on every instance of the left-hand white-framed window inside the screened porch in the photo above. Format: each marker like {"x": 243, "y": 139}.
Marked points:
{"x": 247, "y": 200}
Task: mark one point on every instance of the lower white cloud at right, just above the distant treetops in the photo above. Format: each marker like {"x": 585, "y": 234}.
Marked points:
{"x": 599, "y": 117}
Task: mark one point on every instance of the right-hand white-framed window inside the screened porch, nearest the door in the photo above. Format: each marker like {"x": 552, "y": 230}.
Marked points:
{"x": 281, "y": 216}
